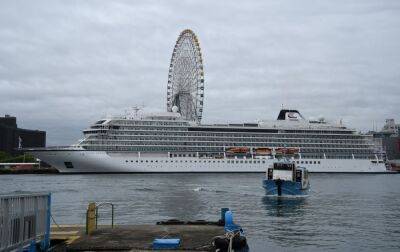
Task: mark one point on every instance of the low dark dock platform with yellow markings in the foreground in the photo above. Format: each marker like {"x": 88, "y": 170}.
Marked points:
{"x": 134, "y": 237}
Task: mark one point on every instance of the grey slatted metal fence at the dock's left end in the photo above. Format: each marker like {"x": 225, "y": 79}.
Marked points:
{"x": 24, "y": 220}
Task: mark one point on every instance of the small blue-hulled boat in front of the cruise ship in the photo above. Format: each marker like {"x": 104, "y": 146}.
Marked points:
{"x": 284, "y": 178}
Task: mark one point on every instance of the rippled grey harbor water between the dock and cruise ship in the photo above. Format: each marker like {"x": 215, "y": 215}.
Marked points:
{"x": 343, "y": 212}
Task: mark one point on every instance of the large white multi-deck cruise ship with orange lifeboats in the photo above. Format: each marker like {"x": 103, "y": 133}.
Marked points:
{"x": 165, "y": 142}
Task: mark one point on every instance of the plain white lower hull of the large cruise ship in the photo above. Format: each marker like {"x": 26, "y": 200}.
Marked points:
{"x": 80, "y": 161}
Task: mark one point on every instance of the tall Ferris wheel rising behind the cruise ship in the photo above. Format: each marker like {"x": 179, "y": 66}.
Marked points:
{"x": 185, "y": 89}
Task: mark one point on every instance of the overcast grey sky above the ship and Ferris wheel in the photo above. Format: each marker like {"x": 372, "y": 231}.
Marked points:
{"x": 65, "y": 64}
